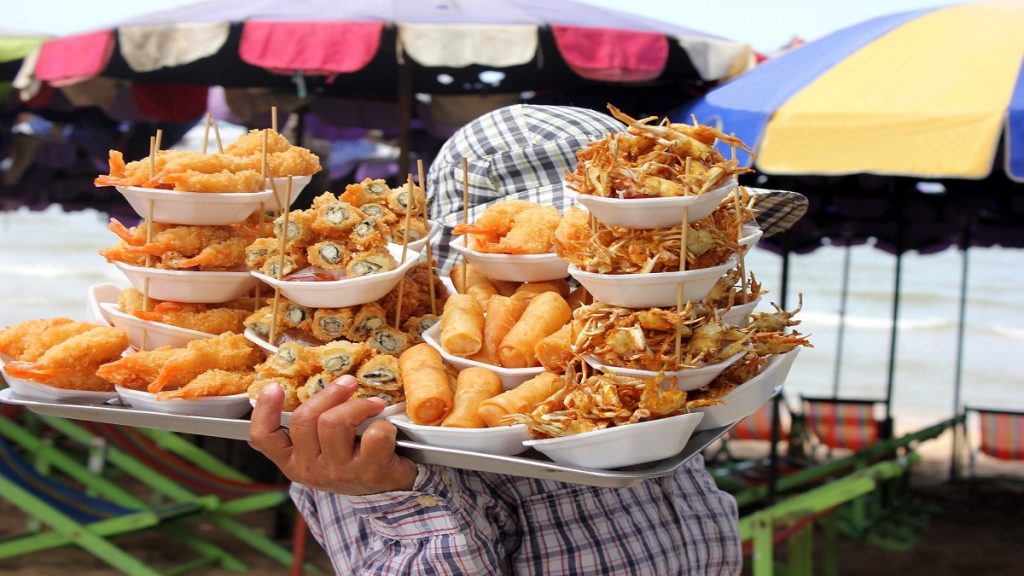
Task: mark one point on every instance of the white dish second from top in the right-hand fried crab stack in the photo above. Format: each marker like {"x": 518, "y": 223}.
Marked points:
{"x": 650, "y": 291}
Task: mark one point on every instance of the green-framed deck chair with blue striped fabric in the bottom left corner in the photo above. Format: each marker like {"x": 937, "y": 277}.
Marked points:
{"x": 73, "y": 518}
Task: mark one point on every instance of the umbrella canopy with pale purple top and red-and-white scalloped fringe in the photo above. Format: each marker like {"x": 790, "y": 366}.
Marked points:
{"x": 534, "y": 44}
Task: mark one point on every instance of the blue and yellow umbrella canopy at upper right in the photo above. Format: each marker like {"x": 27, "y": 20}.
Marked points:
{"x": 926, "y": 94}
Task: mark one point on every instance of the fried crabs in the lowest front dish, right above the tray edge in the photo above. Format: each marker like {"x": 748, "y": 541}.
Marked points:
{"x": 603, "y": 400}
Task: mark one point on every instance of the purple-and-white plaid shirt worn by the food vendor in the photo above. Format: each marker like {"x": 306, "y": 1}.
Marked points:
{"x": 461, "y": 522}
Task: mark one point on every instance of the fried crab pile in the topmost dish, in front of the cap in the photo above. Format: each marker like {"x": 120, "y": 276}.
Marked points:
{"x": 655, "y": 160}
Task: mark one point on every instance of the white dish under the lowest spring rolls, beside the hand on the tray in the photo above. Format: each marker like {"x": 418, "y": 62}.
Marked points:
{"x": 503, "y": 441}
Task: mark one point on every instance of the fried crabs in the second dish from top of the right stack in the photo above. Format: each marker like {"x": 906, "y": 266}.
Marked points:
{"x": 606, "y": 250}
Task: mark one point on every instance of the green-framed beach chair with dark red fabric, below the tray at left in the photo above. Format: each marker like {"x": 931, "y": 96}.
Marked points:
{"x": 182, "y": 472}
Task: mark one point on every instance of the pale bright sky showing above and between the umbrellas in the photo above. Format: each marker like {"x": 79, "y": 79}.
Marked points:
{"x": 765, "y": 25}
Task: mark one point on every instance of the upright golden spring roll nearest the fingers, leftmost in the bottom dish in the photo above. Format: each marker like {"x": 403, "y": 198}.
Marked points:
{"x": 429, "y": 396}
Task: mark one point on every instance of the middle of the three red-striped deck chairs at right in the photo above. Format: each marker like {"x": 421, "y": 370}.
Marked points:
{"x": 845, "y": 424}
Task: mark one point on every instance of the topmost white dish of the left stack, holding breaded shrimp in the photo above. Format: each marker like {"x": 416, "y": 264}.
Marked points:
{"x": 196, "y": 209}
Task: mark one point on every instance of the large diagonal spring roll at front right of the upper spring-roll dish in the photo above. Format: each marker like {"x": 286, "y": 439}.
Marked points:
{"x": 545, "y": 315}
